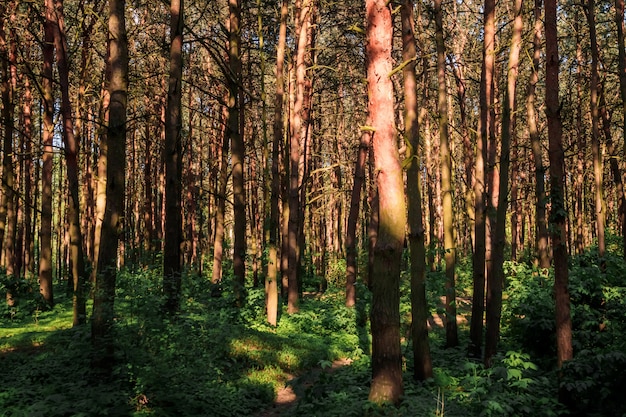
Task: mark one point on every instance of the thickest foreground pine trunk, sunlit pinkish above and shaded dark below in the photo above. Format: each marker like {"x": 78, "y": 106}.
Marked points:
{"x": 385, "y": 315}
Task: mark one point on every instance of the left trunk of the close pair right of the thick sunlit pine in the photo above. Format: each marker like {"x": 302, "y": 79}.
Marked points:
{"x": 479, "y": 258}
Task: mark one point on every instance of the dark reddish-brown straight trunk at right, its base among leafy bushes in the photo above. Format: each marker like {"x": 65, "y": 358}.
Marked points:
{"x": 558, "y": 212}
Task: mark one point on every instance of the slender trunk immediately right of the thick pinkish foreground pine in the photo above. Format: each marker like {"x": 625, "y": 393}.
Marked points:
{"x": 419, "y": 306}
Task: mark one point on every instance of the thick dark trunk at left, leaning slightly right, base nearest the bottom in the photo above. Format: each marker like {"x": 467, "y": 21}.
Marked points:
{"x": 106, "y": 271}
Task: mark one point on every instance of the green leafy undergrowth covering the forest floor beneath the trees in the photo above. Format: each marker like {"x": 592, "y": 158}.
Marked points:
{"x": 213, "y": 359}
